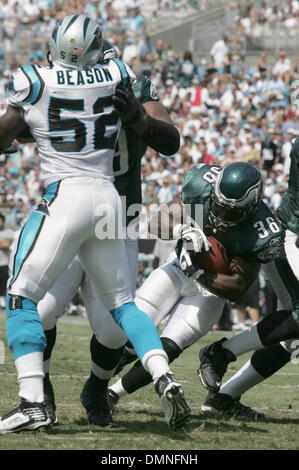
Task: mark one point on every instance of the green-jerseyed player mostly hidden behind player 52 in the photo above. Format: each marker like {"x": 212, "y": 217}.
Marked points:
{"x": 105, "y": 352}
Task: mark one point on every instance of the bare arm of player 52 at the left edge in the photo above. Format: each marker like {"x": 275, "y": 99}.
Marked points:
{"x": 11, "y": 123}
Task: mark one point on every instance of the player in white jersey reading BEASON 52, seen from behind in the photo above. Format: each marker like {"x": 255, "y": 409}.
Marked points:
{"x": 70, "y": 110}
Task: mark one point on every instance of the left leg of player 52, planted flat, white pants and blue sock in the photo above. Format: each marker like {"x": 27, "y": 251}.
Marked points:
{"x": 44, "y": 250}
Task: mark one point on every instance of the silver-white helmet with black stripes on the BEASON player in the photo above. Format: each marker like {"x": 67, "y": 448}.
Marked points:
{"x": 76, "y": 42}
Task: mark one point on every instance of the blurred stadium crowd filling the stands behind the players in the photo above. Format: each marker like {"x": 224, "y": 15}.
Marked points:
{"x": 225, "y": 107}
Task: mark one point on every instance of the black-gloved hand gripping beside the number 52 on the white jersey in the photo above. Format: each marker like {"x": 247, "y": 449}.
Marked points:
{"x": 128, "y": 106}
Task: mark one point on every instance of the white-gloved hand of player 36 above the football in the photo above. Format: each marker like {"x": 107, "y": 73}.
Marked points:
{"x": 194, "y": 237}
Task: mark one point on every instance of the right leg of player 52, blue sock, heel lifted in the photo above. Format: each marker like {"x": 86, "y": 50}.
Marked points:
{"x": 139, "y": 328}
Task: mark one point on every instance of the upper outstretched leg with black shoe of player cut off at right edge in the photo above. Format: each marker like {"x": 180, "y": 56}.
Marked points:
{"x": 282, "y": 325}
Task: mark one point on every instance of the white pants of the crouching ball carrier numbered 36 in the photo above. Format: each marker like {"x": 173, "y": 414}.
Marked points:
{"x": 193, "y": 309}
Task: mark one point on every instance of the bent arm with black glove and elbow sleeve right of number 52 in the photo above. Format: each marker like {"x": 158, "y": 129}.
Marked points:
{"x": 150, "y": 121}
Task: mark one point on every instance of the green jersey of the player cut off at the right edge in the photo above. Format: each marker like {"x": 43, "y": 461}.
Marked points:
{"x": 288, "y": 211}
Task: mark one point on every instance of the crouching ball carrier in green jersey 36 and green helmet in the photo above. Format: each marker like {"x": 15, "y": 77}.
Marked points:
{"x": 232, "y": 211}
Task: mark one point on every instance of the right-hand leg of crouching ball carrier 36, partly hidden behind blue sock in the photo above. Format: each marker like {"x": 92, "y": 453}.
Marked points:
{"x": 191, "y": 318}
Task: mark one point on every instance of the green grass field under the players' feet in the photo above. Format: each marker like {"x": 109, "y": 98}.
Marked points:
{"x": 138, "y": 421}
